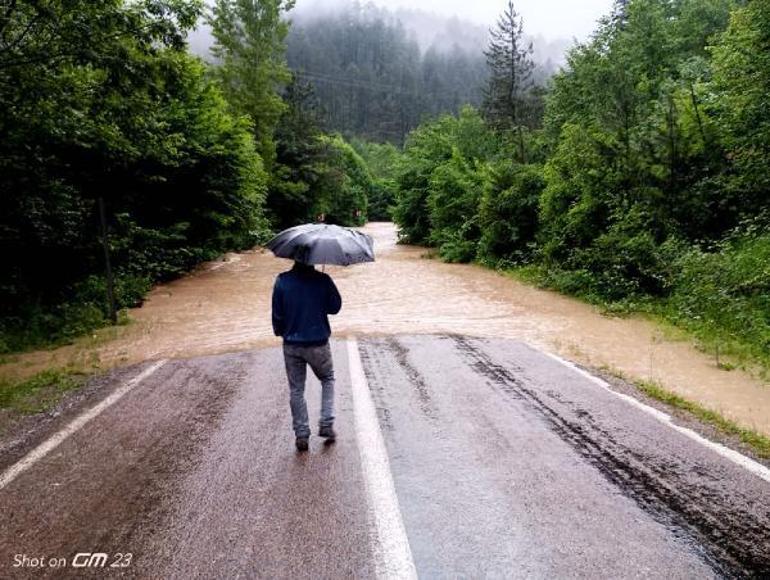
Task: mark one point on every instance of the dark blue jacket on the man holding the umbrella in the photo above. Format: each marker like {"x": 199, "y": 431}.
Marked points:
{"x": 302, "y": 299}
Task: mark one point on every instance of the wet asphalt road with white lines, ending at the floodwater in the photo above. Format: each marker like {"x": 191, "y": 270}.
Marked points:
{"x": 456, "y": 457}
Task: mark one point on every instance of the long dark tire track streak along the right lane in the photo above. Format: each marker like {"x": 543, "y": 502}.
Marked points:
{"x": 736, "y": 540}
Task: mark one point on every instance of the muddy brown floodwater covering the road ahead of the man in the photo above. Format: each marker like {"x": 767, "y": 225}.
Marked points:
{"x": 224, "y": 306}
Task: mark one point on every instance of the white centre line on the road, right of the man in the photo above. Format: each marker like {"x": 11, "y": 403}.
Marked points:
{"x": 393, "y": 556}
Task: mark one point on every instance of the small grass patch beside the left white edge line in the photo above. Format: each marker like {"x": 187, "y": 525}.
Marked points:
{"x": 39, "y": 393}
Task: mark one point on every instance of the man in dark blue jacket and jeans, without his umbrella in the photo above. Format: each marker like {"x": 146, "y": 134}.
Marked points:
{"x": 302, "y": 300}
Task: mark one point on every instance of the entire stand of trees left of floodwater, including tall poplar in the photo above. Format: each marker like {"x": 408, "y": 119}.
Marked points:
{"x": 102, "y": 105}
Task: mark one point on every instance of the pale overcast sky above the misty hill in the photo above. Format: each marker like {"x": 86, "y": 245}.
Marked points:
{"x": 551, "y": 18}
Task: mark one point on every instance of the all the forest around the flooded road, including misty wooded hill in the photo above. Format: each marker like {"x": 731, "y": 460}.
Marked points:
{"x": 636, "y": 176}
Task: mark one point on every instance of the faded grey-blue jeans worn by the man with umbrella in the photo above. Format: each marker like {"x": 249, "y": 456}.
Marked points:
{"x": 297, "y": 358}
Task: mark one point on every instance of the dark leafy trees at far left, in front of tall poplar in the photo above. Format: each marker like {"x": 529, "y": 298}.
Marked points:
{"x": 101, "y": 100}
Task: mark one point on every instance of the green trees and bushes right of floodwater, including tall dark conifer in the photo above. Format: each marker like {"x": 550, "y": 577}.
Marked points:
{"x": 644, "y": 182}
